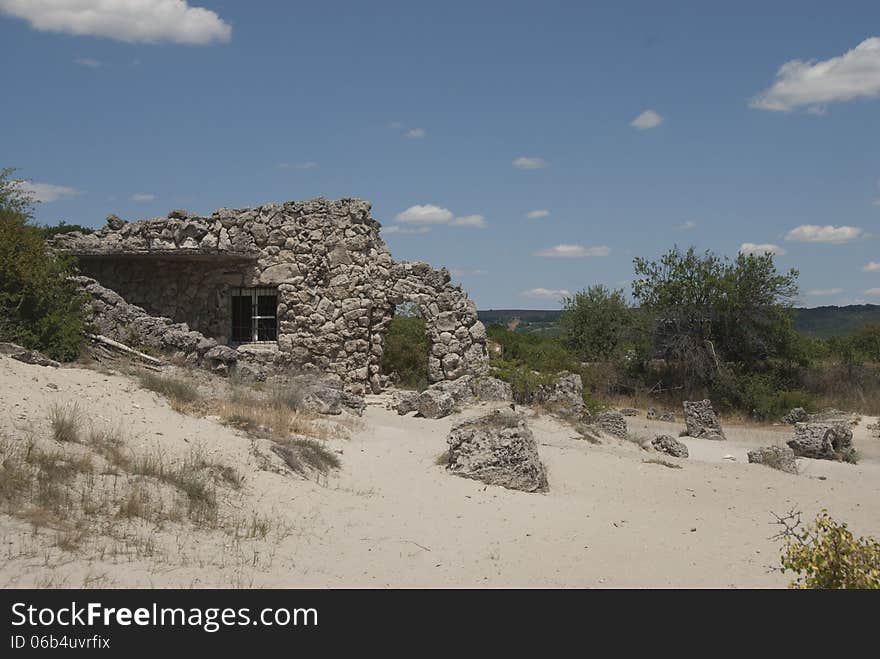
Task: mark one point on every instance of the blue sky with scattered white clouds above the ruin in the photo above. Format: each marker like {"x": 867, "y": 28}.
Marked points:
{"x": 628, "y": 126}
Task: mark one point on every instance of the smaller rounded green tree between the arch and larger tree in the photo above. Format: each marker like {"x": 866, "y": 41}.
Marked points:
{"x": 599, "y": 325}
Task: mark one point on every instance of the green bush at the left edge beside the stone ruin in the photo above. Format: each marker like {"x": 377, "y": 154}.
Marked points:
{"x": 39, "y": 306}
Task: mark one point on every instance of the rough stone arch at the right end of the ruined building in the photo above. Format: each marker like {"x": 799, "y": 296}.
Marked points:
{"x": 456, "y": 338}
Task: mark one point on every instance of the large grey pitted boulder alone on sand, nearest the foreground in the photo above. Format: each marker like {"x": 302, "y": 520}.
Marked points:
{"x": 497, "y": 449}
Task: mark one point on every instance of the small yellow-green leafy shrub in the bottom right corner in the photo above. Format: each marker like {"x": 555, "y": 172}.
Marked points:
{"x": 825, "y": 554}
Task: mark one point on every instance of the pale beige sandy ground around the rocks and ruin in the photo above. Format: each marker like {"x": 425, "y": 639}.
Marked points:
{"x": 392, "y": 517}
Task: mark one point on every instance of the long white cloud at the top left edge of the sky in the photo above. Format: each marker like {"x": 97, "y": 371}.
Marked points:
{"x": 132, "y": 21}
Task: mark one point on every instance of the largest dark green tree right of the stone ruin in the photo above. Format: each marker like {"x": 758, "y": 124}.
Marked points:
{"x": 710, "y": 309}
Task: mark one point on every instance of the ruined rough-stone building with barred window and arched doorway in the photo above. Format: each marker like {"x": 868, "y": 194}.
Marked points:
{"x": 295, "y": 286}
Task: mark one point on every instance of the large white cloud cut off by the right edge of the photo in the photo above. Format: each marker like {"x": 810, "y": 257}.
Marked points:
{"x": 855, "y": 74}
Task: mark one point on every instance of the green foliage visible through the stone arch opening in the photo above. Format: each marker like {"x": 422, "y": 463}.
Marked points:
{"x": 406, "y": 349}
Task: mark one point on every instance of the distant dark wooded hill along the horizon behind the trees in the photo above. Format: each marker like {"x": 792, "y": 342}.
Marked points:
{"x": 820, "y": 322}
